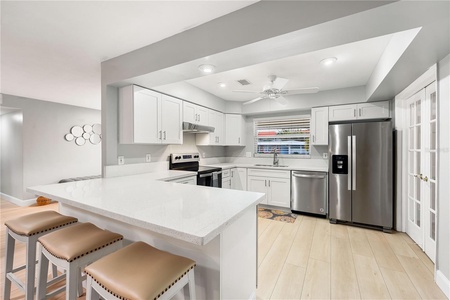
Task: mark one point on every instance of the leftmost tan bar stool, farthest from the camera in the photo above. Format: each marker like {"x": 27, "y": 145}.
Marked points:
{"x": 28, "y": 229}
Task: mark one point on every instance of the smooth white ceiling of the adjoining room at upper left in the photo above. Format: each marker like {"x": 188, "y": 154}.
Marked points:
{"x": 52, "y": 50}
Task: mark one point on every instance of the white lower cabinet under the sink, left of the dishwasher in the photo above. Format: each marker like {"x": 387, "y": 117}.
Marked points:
{"x": 276, "y": 184}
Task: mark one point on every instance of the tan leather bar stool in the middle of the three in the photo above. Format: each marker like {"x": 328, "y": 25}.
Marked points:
{"x": 71, "y": 249}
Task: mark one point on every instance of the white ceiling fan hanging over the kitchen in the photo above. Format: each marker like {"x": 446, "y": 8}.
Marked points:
{"x": 275, "y": 91}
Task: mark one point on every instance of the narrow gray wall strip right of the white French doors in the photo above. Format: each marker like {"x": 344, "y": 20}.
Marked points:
{"x": 443, "y": 246}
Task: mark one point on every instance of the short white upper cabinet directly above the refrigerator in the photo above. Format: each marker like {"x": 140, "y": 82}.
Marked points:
{"x": 362, "y": 111}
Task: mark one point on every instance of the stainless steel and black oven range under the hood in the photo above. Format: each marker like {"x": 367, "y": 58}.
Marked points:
{"x": 206, "y": 176}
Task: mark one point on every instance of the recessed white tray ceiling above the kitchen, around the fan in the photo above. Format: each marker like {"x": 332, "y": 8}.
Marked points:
{"x": 354, "y": 66}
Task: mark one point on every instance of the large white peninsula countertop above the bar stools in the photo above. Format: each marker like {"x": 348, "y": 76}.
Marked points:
{"x": 191, "y": 213}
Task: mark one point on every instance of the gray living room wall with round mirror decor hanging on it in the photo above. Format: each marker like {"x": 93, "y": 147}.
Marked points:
{"x": 47, "y": 156}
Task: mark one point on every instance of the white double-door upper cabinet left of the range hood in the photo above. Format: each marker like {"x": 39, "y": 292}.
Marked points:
{"x": 148, "y": 117}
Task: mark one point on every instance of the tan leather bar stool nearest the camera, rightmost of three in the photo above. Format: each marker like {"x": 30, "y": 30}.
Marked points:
{"x": 139, "y": 271}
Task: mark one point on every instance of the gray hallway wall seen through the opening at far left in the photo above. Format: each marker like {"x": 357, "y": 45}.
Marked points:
{"x": 11, "y": 158}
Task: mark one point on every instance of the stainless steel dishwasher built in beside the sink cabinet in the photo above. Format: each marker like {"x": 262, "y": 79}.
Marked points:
{"x": 309, "y": 192}
